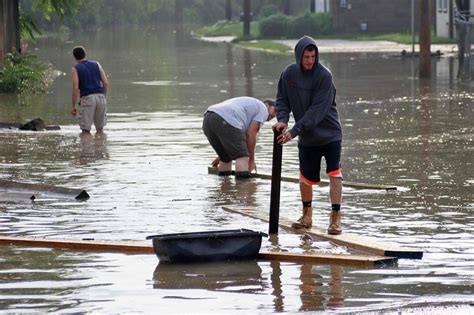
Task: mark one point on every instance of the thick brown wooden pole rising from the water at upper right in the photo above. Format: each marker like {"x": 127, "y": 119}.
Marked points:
{"x": 425, "y": 38}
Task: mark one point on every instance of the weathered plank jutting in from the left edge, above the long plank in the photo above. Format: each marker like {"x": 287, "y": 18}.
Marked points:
{"x": 78, "y": 194}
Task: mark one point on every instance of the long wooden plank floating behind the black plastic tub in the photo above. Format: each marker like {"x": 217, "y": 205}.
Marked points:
{"x": 137, "y": 248}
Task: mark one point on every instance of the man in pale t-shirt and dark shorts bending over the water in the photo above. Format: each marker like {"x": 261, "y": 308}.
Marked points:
{"x": 231, "y": 128}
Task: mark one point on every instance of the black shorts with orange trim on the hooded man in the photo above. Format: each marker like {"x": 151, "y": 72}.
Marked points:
{"x": 310, "y": 161}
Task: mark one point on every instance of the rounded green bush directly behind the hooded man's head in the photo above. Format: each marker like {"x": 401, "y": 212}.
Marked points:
{"x": 312, "y": 24}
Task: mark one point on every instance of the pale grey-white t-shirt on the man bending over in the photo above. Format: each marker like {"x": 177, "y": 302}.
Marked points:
{"x": 239, "y": 112}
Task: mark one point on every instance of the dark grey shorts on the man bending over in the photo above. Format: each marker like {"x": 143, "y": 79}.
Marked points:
{"x": 230, "y": 143}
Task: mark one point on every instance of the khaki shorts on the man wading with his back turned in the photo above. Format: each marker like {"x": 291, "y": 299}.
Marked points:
{"x": 93, "y": 109}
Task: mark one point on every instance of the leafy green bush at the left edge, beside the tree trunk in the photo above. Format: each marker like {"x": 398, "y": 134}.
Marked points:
{"x": 21, "y": 73}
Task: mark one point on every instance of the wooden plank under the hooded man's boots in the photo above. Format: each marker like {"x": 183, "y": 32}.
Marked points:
{"x": 353, "y": 241}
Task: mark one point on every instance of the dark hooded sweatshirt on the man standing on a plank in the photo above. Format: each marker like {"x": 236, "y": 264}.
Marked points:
{"x": 311, "y": 96}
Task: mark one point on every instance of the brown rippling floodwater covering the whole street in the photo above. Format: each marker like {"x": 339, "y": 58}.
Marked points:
{"x": 148, "y": 175}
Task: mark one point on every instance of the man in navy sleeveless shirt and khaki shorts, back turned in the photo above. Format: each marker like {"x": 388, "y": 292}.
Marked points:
{"x": 89, "y": 80}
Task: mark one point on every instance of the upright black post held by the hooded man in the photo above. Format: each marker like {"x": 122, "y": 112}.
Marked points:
{"x": 276, "y": 183}
